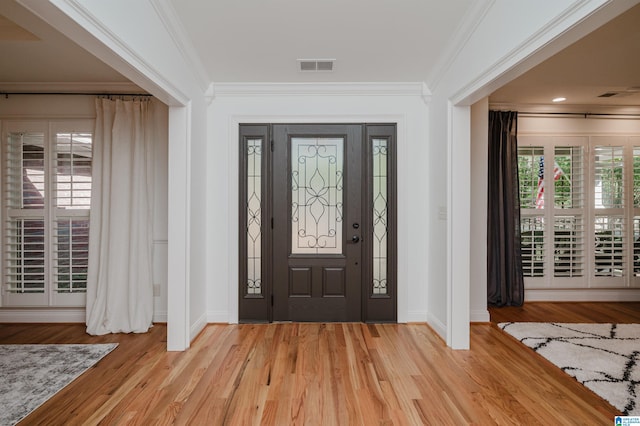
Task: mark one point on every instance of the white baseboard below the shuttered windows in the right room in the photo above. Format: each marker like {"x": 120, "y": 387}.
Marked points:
{"x": 582, "y": 295}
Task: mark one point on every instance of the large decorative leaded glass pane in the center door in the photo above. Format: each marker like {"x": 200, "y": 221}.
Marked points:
{"x": 316, "y": 195}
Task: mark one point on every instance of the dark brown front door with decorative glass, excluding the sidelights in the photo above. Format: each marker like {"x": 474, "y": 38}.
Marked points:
{"x": 317, "y": 190}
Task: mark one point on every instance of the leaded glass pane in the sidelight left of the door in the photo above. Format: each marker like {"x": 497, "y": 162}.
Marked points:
{"x": 254, "y": 216}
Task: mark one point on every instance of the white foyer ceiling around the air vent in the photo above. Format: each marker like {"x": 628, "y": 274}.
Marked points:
{"x": 370, "y": 40}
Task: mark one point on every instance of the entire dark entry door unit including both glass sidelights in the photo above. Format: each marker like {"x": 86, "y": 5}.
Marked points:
{"x": 317, "y": 222}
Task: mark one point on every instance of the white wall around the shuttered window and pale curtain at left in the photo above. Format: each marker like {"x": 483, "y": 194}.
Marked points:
{"x": 82, "y": 107}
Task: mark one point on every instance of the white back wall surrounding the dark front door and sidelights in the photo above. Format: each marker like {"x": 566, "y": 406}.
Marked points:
{"x": 320, "y": 104}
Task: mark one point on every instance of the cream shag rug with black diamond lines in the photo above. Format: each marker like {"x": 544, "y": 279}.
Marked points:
{"x": 603, "y": 357}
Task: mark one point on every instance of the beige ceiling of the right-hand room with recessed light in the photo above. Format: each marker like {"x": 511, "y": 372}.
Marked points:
{"x": 605, "y": 61}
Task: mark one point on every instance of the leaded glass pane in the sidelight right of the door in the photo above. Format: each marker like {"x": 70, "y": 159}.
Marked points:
{"x": 380, "y": 215}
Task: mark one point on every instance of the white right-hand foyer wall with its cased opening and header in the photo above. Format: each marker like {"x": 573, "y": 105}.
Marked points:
{"x": 510, "y": 38}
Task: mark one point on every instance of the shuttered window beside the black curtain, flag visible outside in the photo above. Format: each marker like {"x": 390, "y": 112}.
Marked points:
{"x": 552, "y": 211}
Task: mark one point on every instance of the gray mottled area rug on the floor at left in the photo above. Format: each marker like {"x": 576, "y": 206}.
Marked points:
{"x": 31, "y": 374}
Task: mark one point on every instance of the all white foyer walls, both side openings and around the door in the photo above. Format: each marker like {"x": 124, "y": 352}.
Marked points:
{"x": 511, "y": 37}
